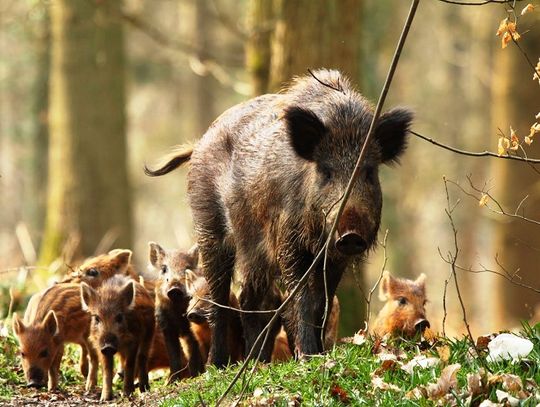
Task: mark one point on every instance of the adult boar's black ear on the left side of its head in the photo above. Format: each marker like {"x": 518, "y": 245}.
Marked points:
{"x": 305, "y": 131}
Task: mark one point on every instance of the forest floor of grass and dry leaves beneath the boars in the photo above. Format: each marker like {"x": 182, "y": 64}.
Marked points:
{"x": 436, "y": 371}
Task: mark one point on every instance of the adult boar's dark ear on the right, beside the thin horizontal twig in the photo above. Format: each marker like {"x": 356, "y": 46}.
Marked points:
{"x": 391, "y": 133}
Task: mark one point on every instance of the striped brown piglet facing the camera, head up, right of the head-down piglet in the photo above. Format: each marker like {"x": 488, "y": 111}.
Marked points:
{"x": 122, "y": 322}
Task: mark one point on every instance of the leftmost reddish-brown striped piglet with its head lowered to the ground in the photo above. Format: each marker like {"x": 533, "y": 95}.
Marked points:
{"x": 54, "y": 317}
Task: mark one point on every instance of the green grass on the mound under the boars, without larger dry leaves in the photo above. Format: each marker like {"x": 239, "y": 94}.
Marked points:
{"x": 341, "y": 377}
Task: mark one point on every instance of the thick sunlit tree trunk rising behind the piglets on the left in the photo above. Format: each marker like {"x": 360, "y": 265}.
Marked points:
{"x": 89, "y": 194}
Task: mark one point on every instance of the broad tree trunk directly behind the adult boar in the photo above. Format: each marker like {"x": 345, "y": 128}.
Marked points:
{"x": 316, "y": 34}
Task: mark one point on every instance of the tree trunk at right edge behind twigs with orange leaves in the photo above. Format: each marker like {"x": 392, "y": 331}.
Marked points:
{"x": 516, "y": 101}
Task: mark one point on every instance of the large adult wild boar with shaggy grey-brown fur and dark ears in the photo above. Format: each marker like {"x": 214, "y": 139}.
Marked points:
{"x": 264, "y": 186}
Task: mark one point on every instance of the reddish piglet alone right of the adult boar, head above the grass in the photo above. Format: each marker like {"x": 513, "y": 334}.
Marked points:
{"x": 404, "y": 312}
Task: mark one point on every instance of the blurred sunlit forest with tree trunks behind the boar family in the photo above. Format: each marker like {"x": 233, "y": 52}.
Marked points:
{"x": 91, "y": 90}
